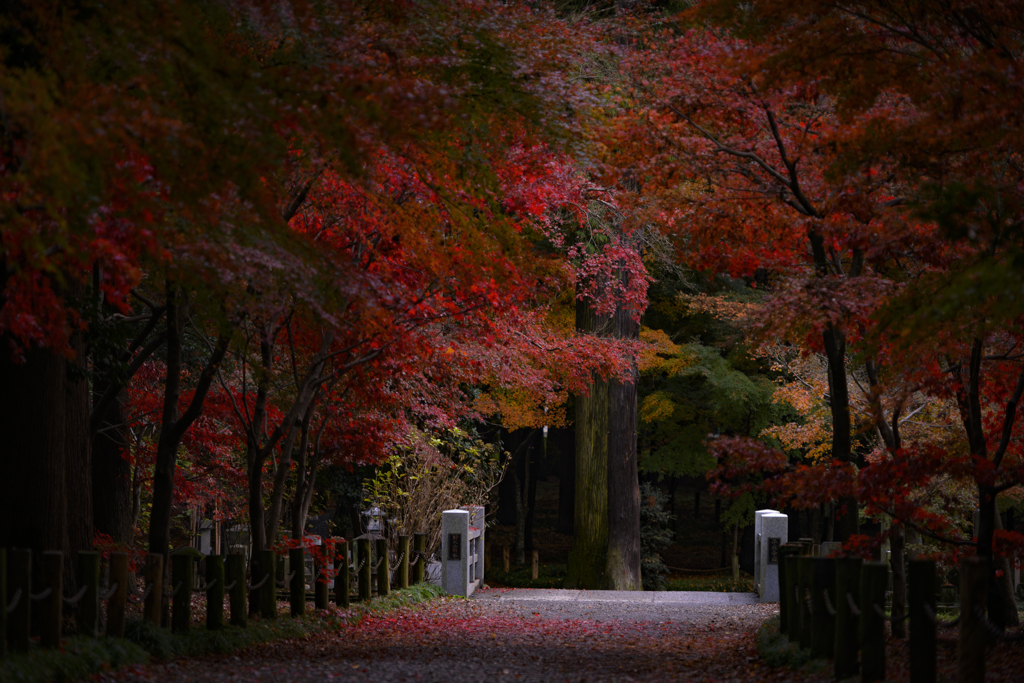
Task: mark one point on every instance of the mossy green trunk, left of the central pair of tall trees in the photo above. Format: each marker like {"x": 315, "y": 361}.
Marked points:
{"x": 590, "y": 542}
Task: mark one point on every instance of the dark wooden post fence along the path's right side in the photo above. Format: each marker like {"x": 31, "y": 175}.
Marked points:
{"x": 838, "y": 608}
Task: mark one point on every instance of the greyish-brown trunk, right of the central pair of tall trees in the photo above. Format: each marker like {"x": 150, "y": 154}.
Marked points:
{"x": 623, "y": 569}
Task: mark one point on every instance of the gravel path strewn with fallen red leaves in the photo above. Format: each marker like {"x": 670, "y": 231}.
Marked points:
{"x": 516, "y": 635}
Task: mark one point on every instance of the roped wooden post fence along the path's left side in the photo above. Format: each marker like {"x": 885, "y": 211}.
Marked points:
{"x": 225, "y": 581}
